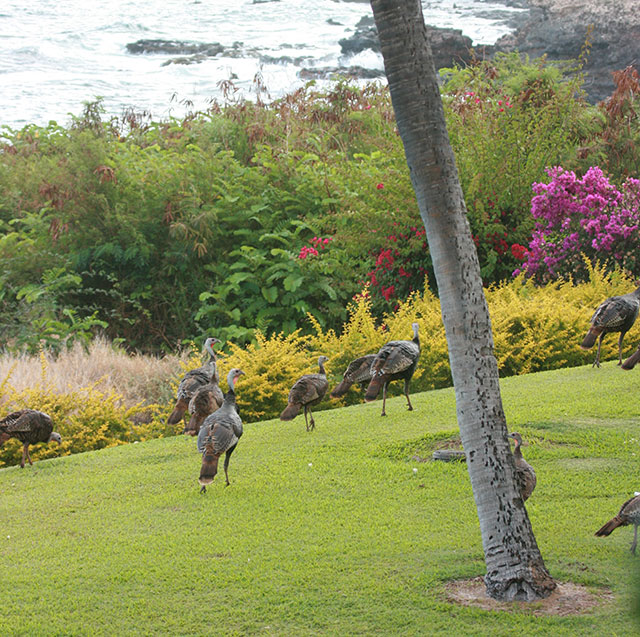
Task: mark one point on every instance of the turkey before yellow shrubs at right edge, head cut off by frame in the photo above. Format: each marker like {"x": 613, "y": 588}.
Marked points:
{"x": 615, "y": 314}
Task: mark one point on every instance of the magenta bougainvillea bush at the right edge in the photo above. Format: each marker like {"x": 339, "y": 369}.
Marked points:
{"x": 578, "y": 218}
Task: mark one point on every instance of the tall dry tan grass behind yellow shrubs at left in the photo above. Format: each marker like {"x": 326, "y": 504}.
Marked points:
{"x": 136, "y": 377}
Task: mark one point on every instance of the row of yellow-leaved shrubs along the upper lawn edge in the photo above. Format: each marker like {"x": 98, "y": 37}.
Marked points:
{"x": 534, "y": 329}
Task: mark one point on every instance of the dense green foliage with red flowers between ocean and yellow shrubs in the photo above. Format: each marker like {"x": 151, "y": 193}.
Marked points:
{"x": 159, "y": 232}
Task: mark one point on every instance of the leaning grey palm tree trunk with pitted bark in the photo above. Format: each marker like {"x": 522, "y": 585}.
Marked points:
{"x": 515, "y": 569}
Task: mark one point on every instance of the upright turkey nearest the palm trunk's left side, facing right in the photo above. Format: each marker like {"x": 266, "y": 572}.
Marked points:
{"x": 395, "y": 360}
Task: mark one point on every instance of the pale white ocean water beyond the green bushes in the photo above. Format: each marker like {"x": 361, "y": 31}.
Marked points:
{"x": 57, "y": 55}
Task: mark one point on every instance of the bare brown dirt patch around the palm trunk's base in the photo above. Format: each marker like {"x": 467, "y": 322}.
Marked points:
{"x": 567, "y": 599}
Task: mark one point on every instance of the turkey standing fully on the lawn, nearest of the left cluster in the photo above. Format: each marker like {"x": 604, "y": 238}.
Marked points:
{"x": 219, "y": 434}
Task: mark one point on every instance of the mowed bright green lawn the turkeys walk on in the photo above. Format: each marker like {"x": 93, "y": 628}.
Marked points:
{"x": 342, "y": 531}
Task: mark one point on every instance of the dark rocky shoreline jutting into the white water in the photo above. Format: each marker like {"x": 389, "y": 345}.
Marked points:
{"x": 557, "y": 29}
